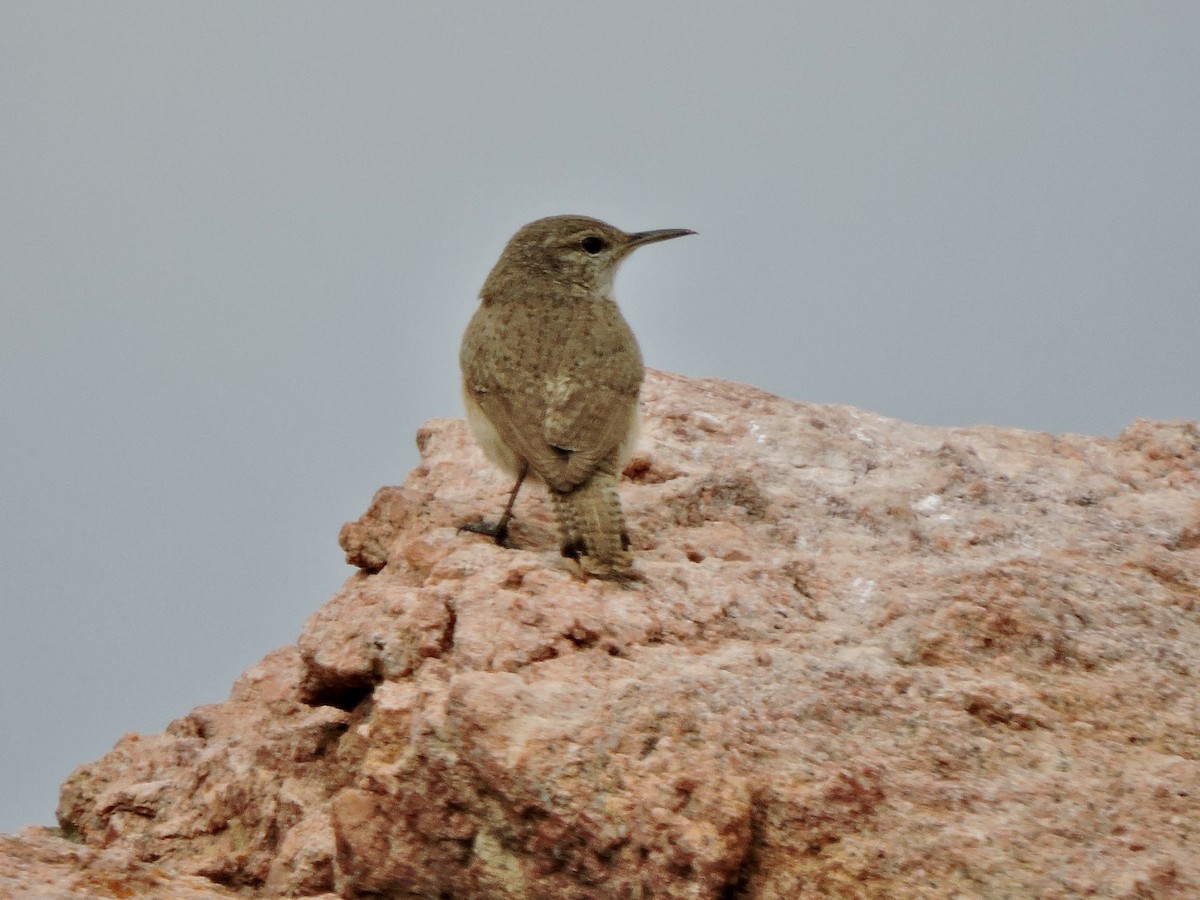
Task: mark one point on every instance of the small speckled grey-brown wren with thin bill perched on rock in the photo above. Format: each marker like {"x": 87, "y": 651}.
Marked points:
{"x": 551, "y": 376}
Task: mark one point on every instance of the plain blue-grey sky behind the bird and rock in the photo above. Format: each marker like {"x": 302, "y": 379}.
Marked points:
{"x": 239, "y": 244}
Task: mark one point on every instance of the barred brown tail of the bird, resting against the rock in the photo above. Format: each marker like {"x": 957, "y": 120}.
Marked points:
{"x": 593, "y": 529}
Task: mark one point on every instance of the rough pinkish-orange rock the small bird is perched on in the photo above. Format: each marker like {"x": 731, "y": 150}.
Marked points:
{"x": 869, "y": 659}
